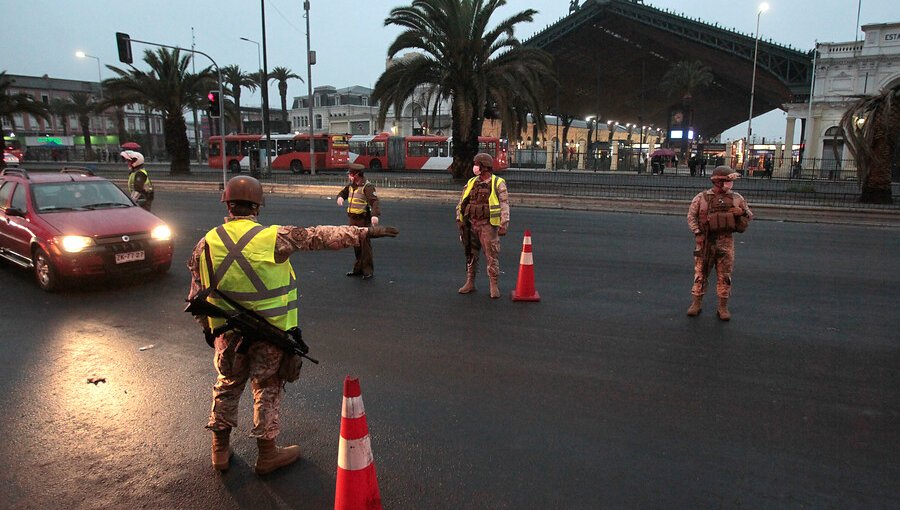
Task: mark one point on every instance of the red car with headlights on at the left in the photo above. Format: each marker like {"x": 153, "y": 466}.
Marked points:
{"x": 73, "y": 224}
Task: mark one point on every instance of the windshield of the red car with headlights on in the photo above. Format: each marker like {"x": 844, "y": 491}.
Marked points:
{"x": 78, "y": 195}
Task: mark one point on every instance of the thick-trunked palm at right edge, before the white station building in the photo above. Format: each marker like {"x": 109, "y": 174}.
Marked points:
{"x": 871, "y": 127}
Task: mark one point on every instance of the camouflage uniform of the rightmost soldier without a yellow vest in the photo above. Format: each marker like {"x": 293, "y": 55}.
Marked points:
{"x": 712, "y": 248}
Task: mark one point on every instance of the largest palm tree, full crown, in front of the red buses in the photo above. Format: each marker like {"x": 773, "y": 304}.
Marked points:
{"x": 473, "y": 66}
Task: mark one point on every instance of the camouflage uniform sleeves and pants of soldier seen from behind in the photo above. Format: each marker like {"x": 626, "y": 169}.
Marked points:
{"x": 261, "y": 362}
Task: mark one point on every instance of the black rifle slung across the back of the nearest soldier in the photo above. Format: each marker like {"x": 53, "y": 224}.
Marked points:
{"x": 253, "y": 327}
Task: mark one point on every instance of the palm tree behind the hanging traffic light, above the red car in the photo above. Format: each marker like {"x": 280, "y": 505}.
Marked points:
{"x": 168, "y": 88}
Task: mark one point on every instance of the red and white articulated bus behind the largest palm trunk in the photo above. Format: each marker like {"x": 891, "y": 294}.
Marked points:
{"x": 416, "y": 152}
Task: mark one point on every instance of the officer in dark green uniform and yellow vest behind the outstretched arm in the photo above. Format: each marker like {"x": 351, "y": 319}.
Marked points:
{"x": 363, "y": 210}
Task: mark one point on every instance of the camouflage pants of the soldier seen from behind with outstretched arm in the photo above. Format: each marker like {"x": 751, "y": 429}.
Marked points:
{"x": 260, "y": 364}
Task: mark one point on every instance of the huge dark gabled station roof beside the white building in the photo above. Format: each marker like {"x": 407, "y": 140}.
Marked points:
{"x": 610, "y": 56}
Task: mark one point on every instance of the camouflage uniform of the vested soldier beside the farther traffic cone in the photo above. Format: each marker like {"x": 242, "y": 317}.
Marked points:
{"x": 475, "y": 211}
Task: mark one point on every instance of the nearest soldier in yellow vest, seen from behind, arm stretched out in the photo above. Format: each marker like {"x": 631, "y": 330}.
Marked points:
{"x": 250, "y": 262}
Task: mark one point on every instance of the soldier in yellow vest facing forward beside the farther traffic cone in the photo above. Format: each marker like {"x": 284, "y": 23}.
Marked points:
{"x": 482, "y": 216}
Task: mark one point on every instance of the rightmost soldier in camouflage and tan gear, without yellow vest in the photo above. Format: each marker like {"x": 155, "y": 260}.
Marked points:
{"x": 713, "y": 217}
